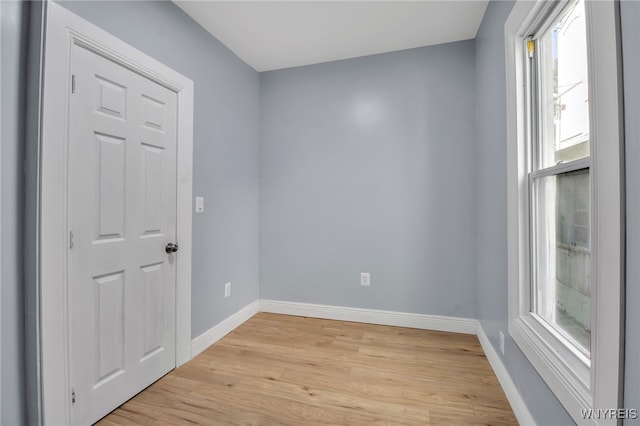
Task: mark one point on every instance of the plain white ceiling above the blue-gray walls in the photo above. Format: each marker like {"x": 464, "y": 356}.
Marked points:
{"x": 270, "y": 35}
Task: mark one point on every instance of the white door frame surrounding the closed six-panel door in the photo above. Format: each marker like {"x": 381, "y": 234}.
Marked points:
{"x": 64, "y": 30}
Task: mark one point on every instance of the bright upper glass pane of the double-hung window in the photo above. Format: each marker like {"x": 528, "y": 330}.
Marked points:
{"x": 564, "y": 97}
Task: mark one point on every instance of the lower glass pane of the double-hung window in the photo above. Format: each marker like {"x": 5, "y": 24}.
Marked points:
{"x": 562, "y": 254}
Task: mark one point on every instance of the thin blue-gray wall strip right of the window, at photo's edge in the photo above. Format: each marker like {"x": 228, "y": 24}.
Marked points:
{"x": 630, "y": 17}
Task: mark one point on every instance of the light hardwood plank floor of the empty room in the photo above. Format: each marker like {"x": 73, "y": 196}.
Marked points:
{"x": 287, "y": 370}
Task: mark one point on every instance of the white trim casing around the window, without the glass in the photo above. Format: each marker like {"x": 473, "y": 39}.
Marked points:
{"x": 577, "y": 383}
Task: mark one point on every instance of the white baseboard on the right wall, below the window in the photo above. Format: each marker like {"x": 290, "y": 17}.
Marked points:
{"x": 518, "y": 405}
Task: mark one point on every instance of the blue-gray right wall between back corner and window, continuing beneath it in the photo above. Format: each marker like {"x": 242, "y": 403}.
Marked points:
{"x": 491, "y": 214}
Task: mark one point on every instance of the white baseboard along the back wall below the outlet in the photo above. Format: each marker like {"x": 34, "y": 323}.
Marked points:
{"x": 372, "y": 316}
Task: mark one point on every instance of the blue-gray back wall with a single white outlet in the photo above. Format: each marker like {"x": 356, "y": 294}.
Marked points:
{"x": 365, "y": 167}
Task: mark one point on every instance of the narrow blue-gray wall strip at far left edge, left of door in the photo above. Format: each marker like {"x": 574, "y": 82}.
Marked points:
{"x": 14, "y": 16}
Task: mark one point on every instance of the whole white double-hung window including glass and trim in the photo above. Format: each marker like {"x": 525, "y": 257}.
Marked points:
{"x": 565, "y": 200}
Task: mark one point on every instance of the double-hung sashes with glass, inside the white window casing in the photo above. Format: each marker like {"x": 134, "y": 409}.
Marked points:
{"x": 559, "y": 177}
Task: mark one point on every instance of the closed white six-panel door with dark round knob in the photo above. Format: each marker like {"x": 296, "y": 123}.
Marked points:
{"x": 121, "y": 216}
